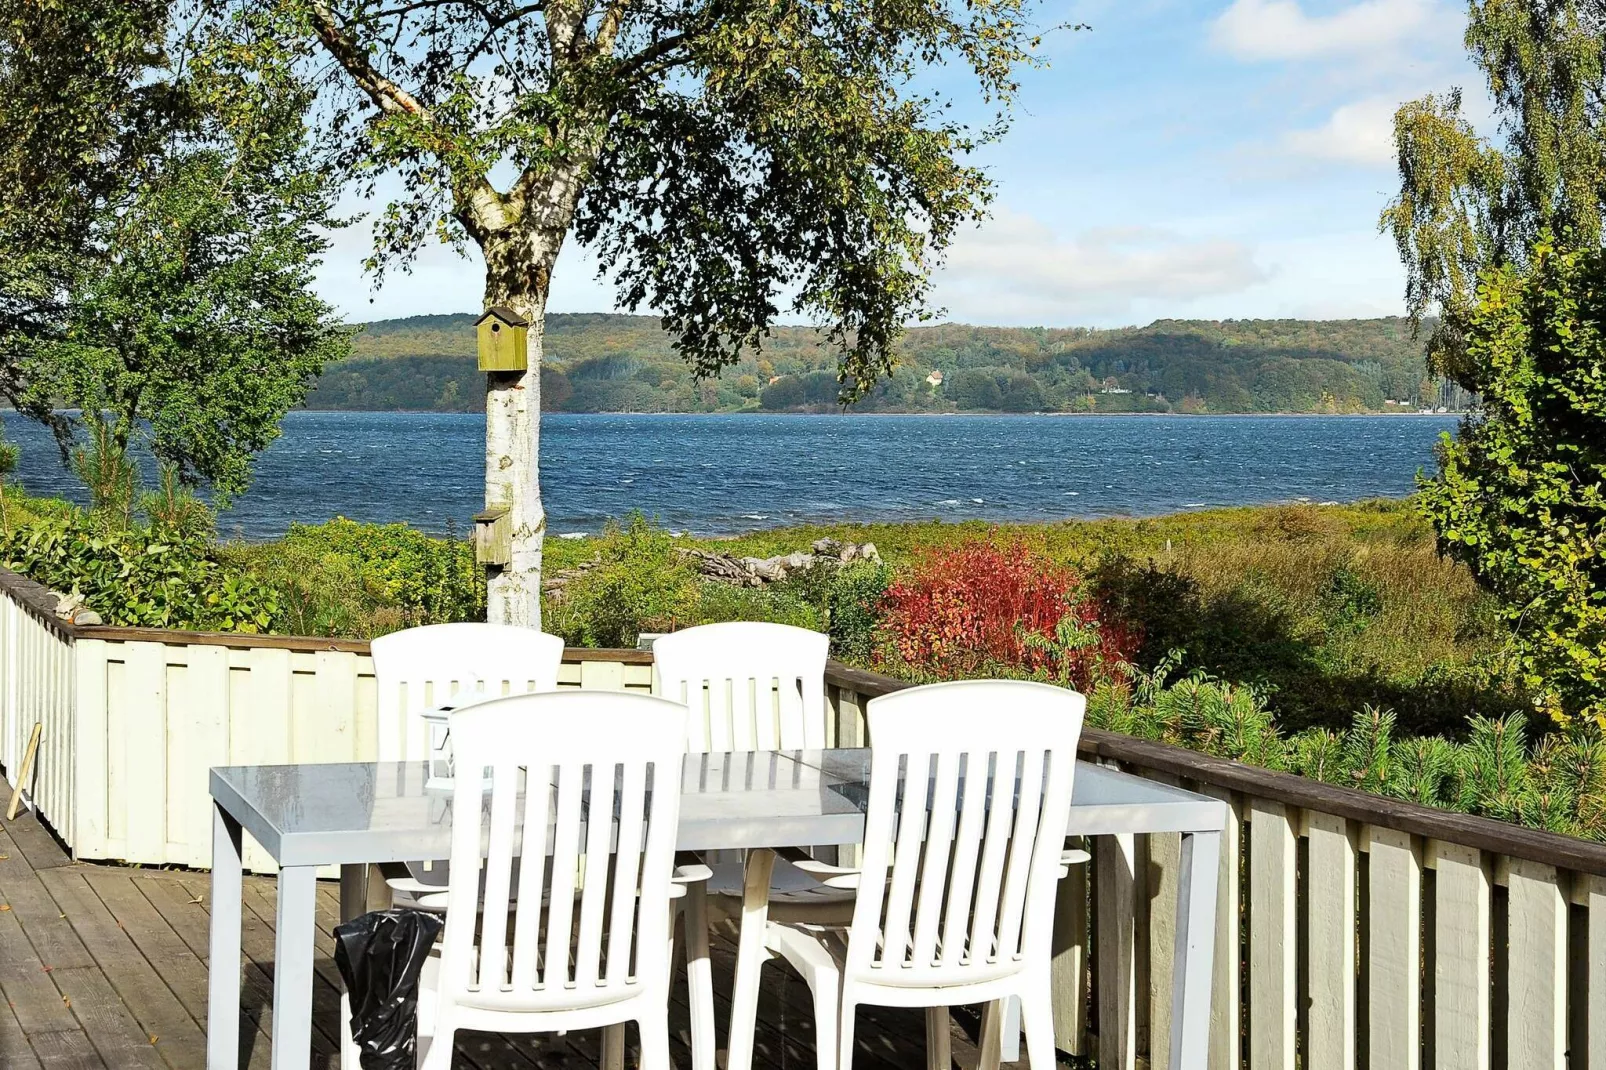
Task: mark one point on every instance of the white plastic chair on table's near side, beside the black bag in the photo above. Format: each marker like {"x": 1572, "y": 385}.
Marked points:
{"x": 584, "y": 941}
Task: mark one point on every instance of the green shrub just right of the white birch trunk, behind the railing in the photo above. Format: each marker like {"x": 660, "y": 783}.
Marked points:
{"x": 635, "y": 584}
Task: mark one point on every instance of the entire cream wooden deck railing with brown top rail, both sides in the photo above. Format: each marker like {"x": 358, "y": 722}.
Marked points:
{"x": 1355, "y": 931}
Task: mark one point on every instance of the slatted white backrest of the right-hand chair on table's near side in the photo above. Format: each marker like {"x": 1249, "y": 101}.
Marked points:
{"x": 971, "y": 790}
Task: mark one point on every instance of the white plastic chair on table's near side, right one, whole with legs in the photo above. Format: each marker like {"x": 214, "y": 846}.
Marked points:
{"x": 971, "y": 790}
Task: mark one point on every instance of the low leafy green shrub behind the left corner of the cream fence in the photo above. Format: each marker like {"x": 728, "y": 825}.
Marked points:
{"x": 141, "y": 578}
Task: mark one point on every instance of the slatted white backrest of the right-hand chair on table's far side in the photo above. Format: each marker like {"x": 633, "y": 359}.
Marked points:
{"x": 751, "y": 685}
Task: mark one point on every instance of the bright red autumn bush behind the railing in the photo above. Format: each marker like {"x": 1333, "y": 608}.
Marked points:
{"x": 985, "y": 608}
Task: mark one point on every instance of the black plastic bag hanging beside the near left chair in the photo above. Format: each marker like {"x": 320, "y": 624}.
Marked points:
{"x": 381, "y": 957}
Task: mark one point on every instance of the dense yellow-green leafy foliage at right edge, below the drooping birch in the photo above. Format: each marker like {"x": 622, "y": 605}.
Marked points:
{"x": 1522, "y": 492}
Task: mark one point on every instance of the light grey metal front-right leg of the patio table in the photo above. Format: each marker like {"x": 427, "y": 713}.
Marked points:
{"x": 1191, "y": 981}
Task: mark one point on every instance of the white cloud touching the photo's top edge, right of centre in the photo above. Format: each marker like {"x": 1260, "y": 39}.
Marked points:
{"x": 1281, "y": 30}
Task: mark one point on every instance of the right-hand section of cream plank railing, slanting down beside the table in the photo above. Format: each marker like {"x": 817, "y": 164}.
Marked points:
{"x": 1353, "y": 931}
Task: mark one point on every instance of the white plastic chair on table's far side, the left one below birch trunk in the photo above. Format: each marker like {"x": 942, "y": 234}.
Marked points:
{"x": 425, "y": 669}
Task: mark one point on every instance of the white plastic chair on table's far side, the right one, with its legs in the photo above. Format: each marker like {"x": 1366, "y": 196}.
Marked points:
{"x": 749, "y": 687}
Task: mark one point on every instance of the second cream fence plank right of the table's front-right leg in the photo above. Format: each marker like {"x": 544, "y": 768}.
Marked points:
{"x": 1331, "y": 937}
